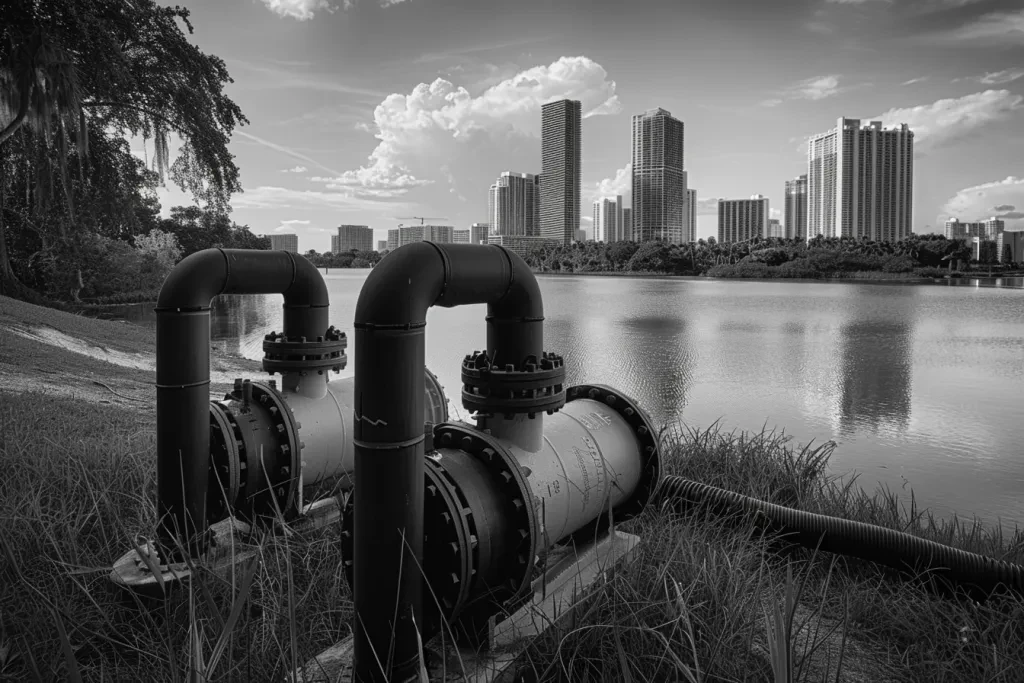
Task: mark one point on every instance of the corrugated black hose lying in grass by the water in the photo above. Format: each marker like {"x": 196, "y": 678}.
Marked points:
{"x": 843, "y": 537}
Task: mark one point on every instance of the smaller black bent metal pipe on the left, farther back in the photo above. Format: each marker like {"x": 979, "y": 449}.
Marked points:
{"x": 184, "y": 368}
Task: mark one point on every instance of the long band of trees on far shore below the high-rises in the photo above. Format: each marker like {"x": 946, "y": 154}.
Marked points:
{"x": 762, "y": 258}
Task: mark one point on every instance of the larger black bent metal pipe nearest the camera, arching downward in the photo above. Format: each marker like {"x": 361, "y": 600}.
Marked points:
{"x": 391, "y": 322}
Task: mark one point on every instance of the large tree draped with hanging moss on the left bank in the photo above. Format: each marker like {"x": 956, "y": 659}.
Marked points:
{"x": 72, "y": 70}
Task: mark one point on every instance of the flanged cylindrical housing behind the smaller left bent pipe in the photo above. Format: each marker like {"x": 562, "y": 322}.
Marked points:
{"x": 273, "y": 443}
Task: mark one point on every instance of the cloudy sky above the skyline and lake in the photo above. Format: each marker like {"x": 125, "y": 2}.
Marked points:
{"x": 377, "y": 112}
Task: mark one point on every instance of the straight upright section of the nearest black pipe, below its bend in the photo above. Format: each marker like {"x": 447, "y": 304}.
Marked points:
{"x": 389, "y": 516}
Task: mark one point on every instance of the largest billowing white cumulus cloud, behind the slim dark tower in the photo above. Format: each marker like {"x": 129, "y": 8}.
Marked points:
{"x": 440, "y": 121}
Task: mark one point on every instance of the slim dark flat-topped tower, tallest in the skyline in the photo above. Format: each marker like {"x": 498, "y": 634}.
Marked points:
{"x": 561, "y": 169}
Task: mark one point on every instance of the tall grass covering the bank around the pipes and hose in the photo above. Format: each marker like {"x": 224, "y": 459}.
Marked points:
{"x": 79, "y": 483}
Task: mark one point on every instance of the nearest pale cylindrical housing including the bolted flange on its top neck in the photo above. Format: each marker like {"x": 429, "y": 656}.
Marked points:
{"x": 496, "y": 505}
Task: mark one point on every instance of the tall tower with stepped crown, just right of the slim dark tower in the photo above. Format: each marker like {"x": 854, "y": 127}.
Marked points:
{"x": 659, "y": 180}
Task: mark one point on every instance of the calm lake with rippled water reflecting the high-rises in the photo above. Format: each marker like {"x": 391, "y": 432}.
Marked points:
{"x": 920, "y": 386}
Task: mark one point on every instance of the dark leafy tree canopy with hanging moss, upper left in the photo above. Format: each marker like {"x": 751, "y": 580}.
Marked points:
{"x": 77, "y": 77}
